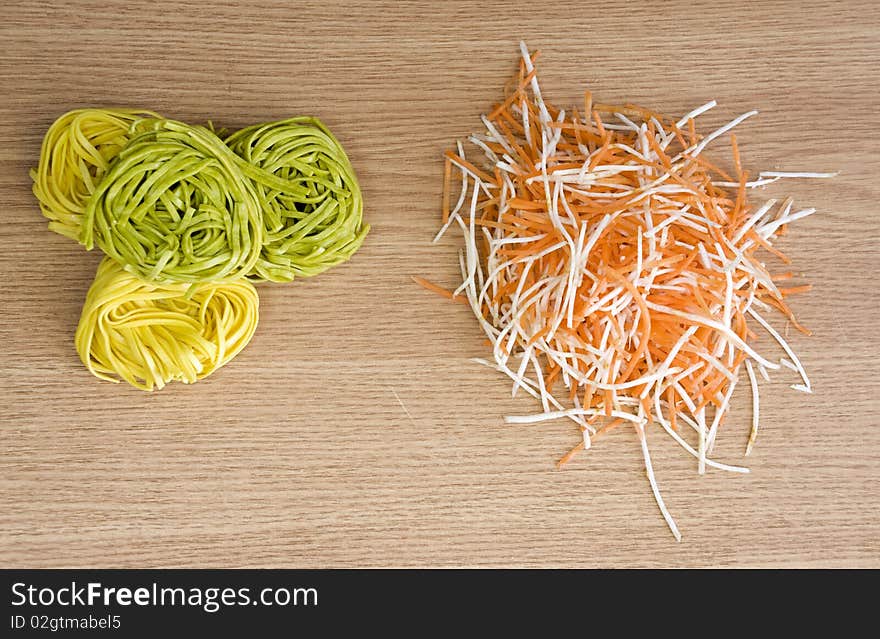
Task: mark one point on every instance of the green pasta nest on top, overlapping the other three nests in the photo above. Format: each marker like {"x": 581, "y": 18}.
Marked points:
{"x": 175, "y": 207}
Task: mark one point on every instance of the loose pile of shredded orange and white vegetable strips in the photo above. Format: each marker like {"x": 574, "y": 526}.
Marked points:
{"x": 616, "y": 271}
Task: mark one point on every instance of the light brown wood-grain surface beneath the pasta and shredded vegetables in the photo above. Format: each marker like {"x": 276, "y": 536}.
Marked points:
{"x": 353, "y": 431}
